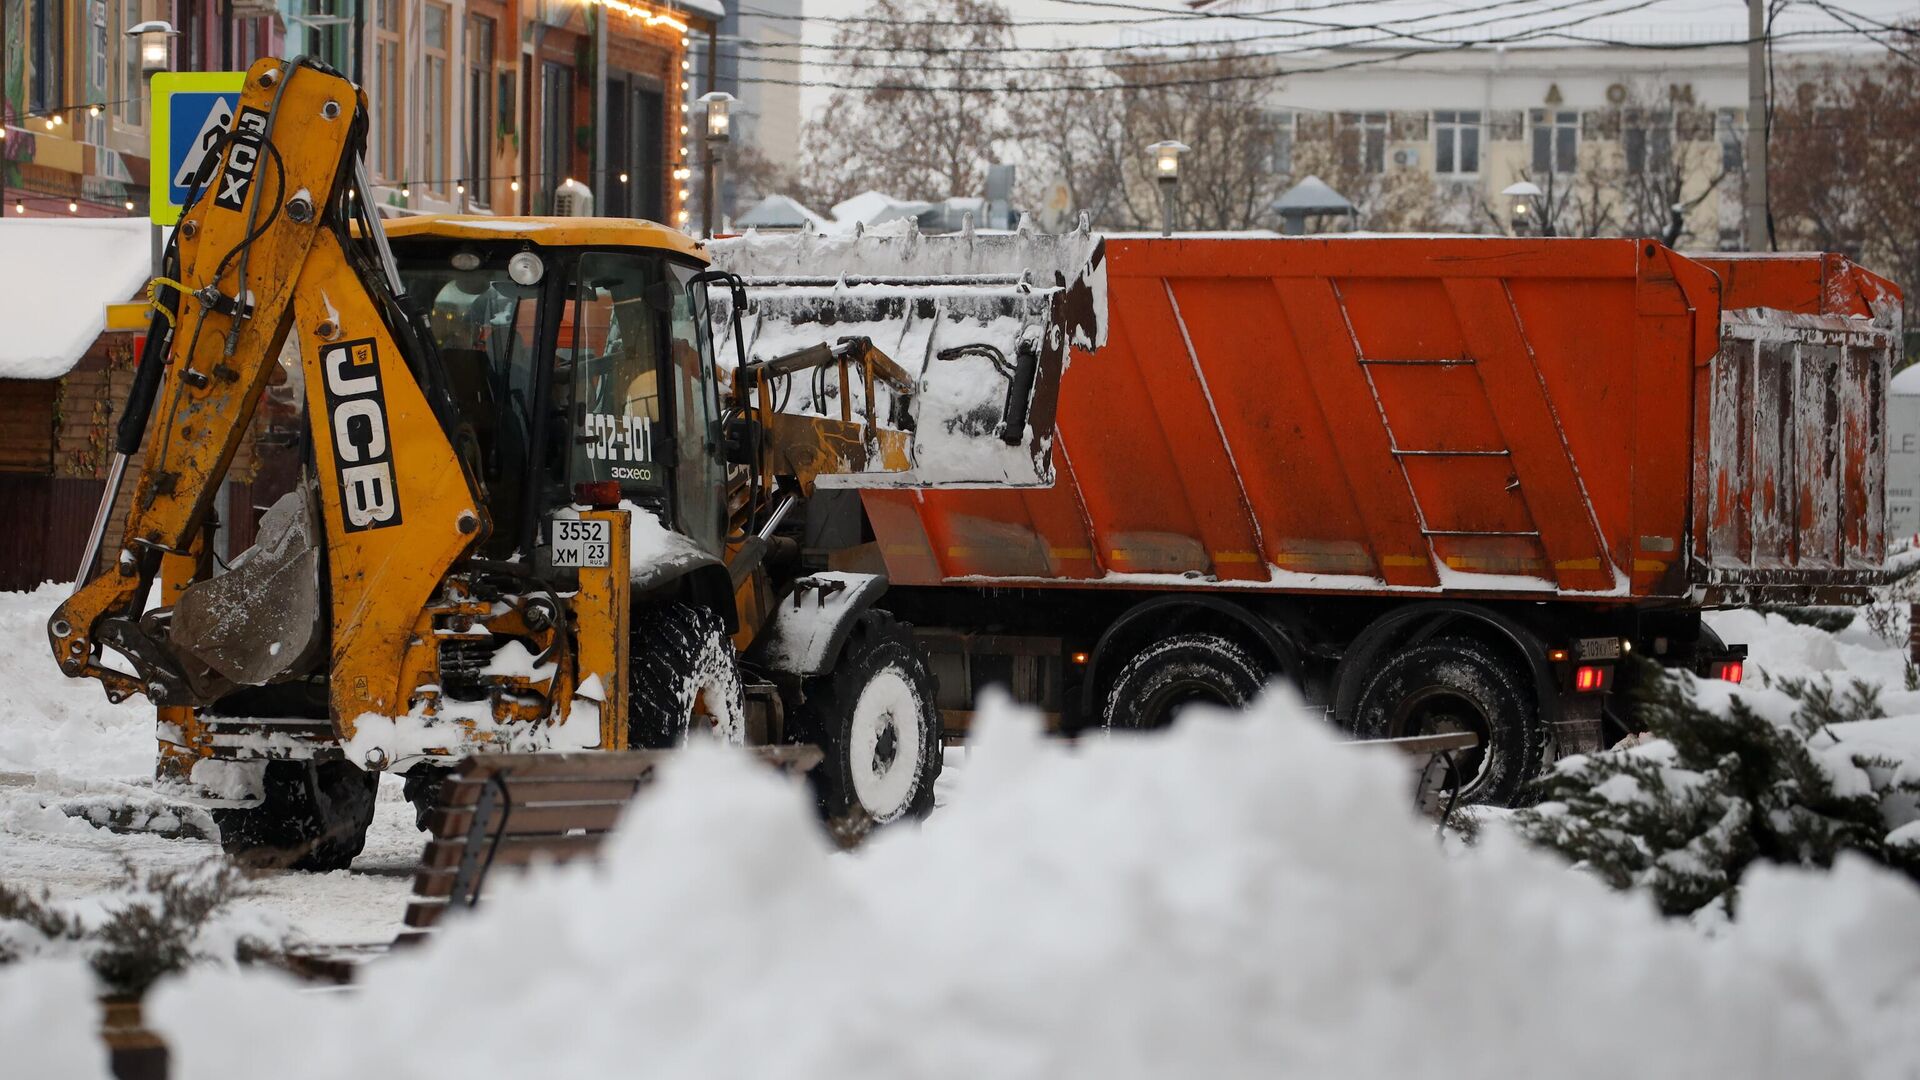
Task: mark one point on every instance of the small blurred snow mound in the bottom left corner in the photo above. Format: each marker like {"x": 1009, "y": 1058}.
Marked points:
{"x": 51, "y": 1021}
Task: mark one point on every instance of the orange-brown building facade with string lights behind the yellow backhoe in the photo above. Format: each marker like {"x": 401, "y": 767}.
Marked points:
{"x": 481, "y": 107}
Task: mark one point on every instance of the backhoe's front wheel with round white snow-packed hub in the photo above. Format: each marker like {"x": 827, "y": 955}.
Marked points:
{"x": 876, "y": 722}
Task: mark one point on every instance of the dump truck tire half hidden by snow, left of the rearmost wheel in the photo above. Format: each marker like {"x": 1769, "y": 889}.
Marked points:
{"x": 1172, "y": 674}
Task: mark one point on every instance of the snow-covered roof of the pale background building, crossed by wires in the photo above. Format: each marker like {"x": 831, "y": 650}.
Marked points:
{"x": 1443, "y": 24}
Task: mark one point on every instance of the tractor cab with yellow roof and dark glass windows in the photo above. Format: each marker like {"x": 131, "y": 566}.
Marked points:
{"x": 579, "y": 358}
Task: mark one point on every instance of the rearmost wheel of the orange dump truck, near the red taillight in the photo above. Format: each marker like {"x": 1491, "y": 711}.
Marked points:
{"x": 1451, "y": 685}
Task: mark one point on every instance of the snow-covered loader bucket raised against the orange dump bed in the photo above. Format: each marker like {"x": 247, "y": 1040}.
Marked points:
{"x": 984, "y": 326}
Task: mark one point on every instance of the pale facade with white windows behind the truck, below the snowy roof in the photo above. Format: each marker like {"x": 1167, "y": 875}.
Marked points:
{"x": 1614, "y": 135}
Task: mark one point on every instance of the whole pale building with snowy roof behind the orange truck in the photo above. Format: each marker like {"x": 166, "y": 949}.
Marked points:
{"x": 1483, "y": 97}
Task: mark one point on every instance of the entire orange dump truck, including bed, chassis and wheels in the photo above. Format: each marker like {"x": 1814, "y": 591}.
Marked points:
{"x": 1437, "y": 483}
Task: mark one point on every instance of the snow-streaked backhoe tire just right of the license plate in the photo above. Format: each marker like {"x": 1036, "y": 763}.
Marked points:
{"x": 681, "y": 668}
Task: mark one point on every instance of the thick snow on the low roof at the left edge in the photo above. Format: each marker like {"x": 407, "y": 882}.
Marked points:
{"x": 57, "y": 282}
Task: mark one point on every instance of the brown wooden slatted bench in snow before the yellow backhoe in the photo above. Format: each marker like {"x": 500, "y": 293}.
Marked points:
{"x": 514, "y": 810}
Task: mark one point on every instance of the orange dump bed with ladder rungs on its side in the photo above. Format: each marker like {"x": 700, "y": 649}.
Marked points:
{"x": 1479, "y": 416}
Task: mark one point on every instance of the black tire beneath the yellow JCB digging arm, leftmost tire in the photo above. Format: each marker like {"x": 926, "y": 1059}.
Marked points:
{"x": 314, "y": 818}
